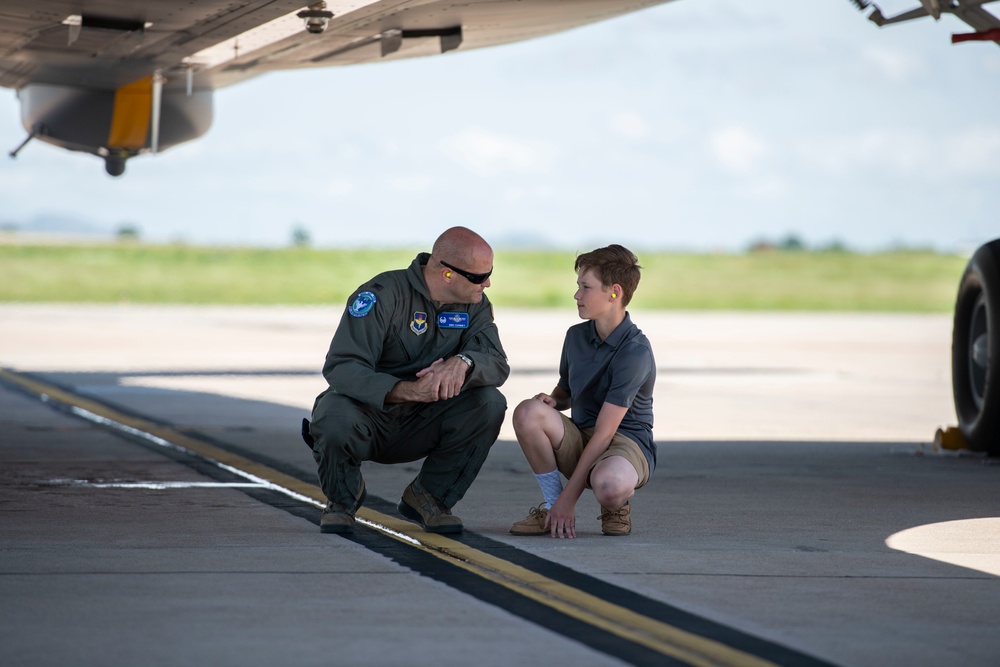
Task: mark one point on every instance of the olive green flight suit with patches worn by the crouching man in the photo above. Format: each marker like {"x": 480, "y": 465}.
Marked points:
{"x": 390, "y": 331}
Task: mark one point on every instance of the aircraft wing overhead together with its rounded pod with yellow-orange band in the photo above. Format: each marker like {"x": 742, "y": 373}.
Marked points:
{"x": 119, "y": 78}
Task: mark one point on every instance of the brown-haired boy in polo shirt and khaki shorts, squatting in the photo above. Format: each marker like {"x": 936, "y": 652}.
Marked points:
{"x": 606, "y": 377}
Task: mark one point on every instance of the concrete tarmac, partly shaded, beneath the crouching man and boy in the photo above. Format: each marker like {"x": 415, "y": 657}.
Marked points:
{"x": 799, "y": 504}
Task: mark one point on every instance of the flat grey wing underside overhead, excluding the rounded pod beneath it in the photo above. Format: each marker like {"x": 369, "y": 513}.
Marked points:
{"x": 211, "y": 44}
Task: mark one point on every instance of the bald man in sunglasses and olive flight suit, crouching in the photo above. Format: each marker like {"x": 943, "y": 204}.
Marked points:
{"x": 413, "y": 370}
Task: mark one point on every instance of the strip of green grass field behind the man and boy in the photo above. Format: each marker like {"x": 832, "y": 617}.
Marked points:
{"x": 811, "y": 281}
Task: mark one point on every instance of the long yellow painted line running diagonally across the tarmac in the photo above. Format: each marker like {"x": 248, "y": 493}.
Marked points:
{"x": 656, "y": 635}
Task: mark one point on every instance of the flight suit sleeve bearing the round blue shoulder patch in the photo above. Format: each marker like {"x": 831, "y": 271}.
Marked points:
{"x": 351, "y": 367}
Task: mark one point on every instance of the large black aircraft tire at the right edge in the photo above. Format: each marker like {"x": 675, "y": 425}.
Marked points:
{"x": 975, "y": 351}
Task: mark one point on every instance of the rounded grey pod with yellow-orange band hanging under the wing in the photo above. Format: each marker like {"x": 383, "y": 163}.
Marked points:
{"x": 114, "y": 124}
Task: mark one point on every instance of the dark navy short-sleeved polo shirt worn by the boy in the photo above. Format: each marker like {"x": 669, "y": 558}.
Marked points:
{"x": 620, "y": 370}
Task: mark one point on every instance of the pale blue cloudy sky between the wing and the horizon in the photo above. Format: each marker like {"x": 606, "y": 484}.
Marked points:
{"x": 698, "y": 125}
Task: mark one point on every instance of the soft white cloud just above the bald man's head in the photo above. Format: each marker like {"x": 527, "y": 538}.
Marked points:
{"x": 488, "y": 153}
